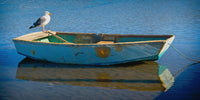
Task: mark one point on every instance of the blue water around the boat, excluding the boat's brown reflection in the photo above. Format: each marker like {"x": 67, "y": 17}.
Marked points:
{"x": 178, "y": 17}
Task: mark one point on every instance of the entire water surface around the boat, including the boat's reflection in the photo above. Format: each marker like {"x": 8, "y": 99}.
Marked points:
{"x": 171, "y": 77}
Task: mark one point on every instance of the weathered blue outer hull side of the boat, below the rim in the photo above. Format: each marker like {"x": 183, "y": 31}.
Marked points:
{"x": 91, "y": 54}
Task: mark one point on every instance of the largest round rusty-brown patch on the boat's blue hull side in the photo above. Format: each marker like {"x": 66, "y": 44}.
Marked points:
{"x": 102, "y": 52}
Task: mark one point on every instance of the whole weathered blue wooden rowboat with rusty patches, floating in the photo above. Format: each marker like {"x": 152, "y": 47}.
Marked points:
{"x": 91, "y": 48}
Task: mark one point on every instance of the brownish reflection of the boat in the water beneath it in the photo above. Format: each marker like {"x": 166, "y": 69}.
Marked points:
{"x": 140, "y": 76}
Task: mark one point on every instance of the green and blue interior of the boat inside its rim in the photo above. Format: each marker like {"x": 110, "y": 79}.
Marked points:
{"x": 91, "y": 38}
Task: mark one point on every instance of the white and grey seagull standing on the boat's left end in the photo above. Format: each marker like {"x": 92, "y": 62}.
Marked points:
{"x": 42, "y": 21}
